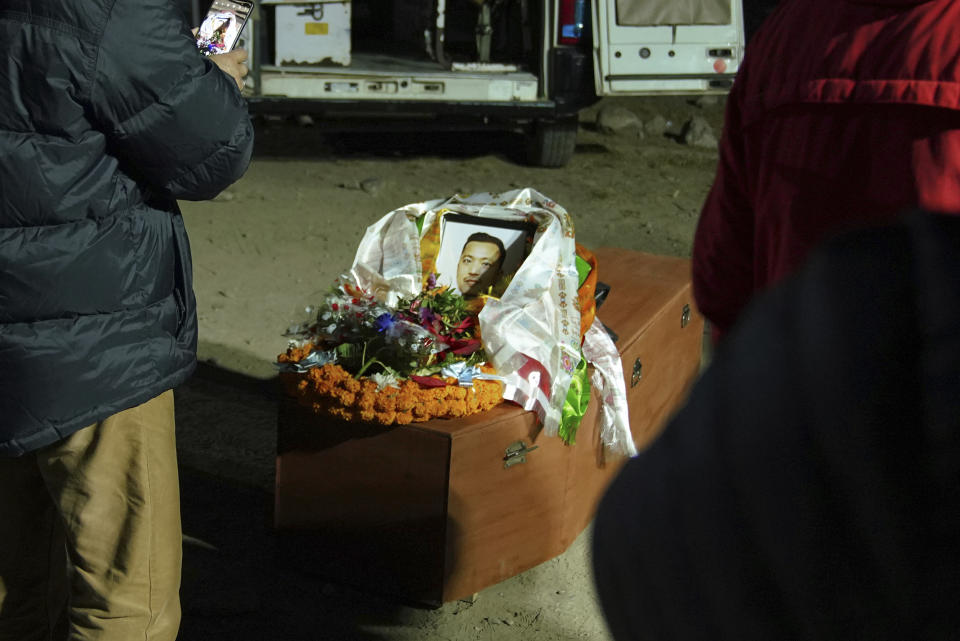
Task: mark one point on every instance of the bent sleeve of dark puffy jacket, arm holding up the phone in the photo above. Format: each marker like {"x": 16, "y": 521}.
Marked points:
{"x": 172, "y": 117}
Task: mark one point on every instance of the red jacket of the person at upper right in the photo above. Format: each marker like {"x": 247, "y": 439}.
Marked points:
{"x": 844, "y": 113}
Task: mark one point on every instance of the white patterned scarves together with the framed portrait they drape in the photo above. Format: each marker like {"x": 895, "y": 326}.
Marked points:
{"x": 530, "y": 318}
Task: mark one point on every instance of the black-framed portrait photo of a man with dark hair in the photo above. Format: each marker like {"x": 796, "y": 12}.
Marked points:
{"x": 480, "y": 255}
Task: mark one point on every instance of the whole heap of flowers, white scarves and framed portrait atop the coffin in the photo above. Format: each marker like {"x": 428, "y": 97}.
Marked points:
{"x": 390, "y": 344}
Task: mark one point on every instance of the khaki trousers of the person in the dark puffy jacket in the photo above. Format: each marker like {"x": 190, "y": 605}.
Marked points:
{"x": 90, "y": 540}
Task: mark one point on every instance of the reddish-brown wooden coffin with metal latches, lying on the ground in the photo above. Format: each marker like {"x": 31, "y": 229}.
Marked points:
{"x": 437, "y": 511}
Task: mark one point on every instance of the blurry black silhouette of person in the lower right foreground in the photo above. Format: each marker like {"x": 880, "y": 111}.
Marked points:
{"x": 810, "y": 487}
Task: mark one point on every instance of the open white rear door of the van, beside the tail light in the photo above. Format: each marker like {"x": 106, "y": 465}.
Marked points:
{"x": 666, "y": 46}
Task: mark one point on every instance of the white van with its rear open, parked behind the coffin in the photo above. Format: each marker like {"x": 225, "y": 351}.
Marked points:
{"x": 528, "y": 65}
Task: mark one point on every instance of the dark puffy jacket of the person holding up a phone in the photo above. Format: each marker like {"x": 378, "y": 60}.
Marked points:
{"x": 108, "y": 114}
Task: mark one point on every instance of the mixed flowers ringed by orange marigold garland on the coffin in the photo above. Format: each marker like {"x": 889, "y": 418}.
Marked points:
{"x": 363, "y": 360}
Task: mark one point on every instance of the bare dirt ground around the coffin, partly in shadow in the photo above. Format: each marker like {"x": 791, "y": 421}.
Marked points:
{"x": 270, "y": 245}
